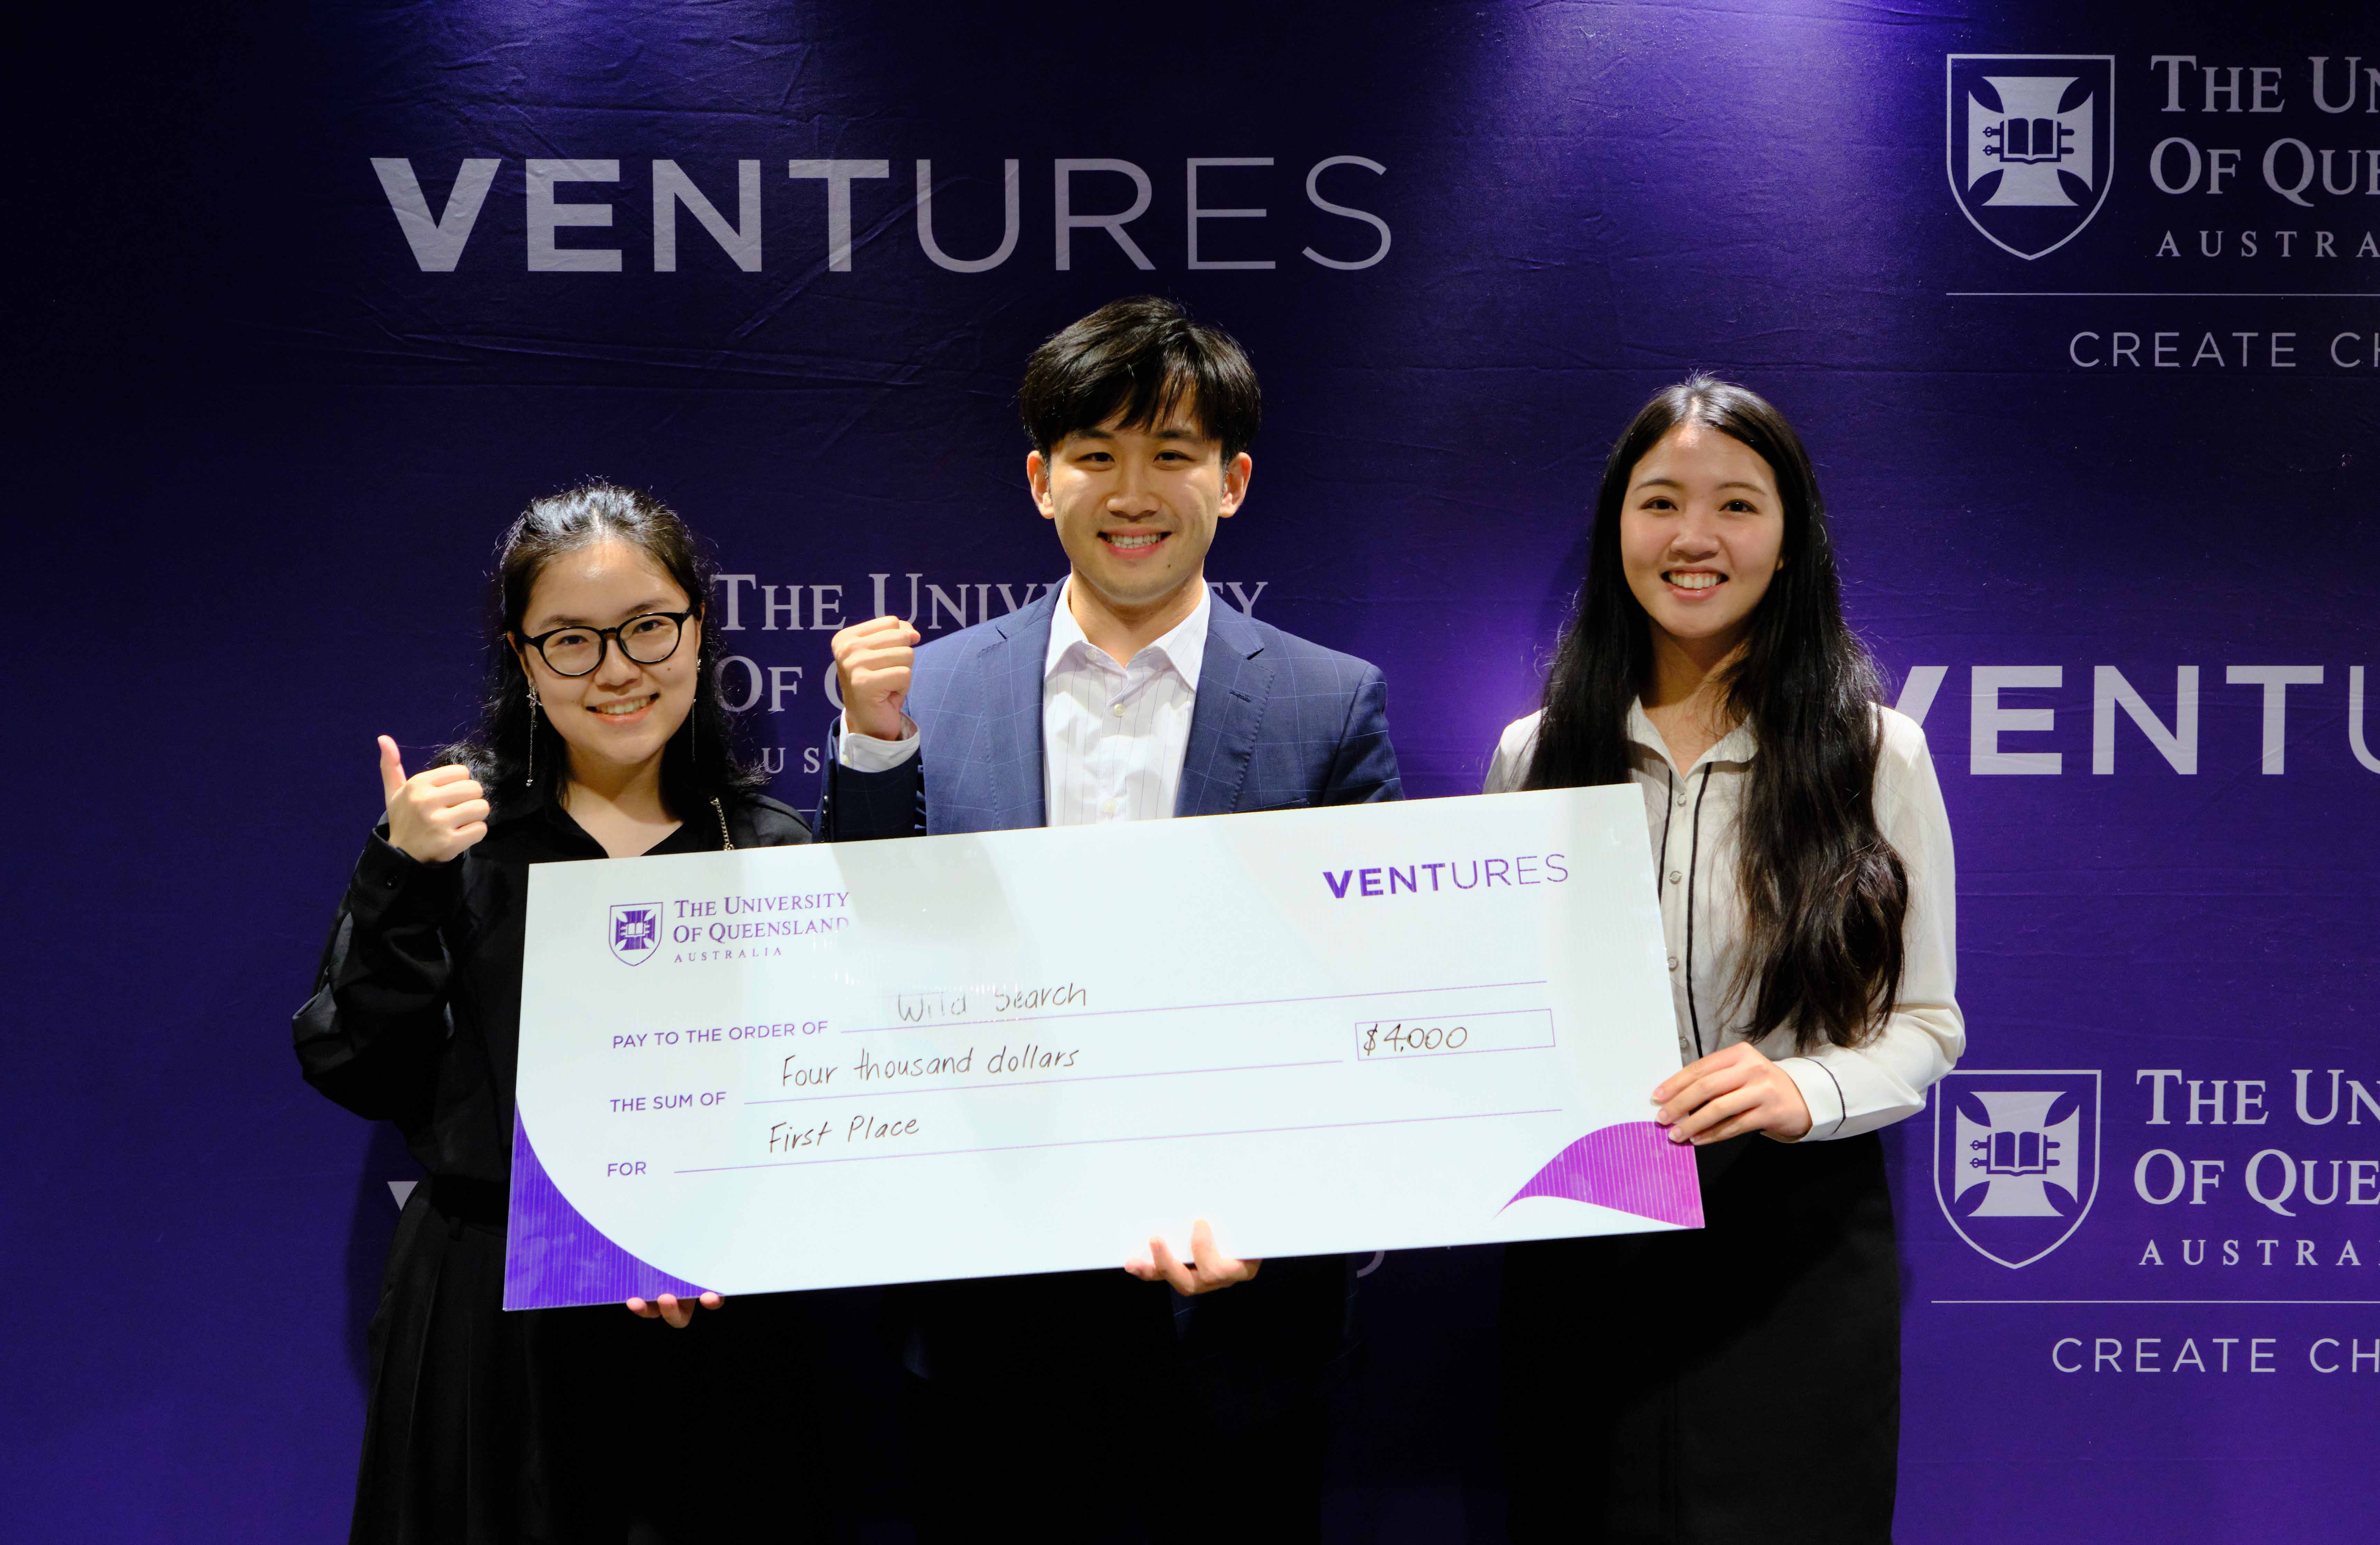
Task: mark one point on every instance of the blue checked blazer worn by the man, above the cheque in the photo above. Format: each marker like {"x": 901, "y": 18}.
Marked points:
{"x": 1279, "y": 725}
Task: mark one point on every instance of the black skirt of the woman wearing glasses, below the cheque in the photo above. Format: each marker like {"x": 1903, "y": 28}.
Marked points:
{"x": 580, "y": 1425}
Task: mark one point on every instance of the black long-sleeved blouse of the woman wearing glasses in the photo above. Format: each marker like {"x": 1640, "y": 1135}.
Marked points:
{"x": 418, "y": 1003}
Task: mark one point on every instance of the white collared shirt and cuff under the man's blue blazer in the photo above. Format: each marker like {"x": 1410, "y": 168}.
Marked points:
{"x": 1113, "y": 734}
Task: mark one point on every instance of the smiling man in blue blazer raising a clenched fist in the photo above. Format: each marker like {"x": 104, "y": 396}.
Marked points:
{"x": 1177, "y": 1394}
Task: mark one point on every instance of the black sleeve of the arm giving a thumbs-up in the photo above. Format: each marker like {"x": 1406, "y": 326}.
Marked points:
{"x": 377, "y": 1022}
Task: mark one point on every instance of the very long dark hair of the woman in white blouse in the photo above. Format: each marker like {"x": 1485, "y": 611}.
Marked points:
{"x": 1824, "y": 892}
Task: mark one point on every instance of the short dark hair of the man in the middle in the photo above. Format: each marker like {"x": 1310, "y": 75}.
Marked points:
{"x": 1139, "y": 358}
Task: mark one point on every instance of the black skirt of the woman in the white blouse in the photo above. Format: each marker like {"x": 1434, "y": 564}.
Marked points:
{"x": 1741, "y": 1382}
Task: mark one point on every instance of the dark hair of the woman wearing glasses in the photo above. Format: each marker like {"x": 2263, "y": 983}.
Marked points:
{"x": 703, "y": 761}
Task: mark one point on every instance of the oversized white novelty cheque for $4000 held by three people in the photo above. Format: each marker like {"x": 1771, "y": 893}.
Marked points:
{"x": 1324, "y": 1032}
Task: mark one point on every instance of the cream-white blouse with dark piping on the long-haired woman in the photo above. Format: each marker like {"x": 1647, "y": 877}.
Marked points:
{"x": 1703, "y": 918}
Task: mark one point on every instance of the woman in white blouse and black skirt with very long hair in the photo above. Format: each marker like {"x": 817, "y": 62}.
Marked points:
{"x": 1739, "y": 1382}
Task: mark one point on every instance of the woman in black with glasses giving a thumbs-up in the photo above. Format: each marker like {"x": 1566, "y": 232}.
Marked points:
{"x": 601, "y": 737}
